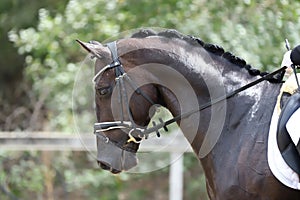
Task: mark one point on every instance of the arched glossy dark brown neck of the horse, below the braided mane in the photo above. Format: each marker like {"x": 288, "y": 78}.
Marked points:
{"x": 210, "y": 76}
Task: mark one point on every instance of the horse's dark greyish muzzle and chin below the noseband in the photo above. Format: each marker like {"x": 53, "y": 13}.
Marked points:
{"x": 114, "y": 159}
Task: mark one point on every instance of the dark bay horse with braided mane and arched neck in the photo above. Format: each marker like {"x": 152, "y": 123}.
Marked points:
{"x": 182, "y": 73}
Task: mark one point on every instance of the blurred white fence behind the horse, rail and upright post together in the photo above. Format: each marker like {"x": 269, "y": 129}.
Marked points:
{"x": 174, "y": 143}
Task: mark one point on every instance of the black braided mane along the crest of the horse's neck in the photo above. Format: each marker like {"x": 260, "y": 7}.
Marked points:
{"x": 212, "y": 48}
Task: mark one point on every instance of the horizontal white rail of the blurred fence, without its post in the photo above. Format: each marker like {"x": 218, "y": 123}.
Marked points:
{"x": 56, "y": 141}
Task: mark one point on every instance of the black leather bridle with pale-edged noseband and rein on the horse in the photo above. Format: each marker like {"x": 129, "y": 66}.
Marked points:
{"x": 137, "y": 134}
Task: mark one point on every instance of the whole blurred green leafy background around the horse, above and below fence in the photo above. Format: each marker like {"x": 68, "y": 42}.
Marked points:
{"x": 39, "y": 60}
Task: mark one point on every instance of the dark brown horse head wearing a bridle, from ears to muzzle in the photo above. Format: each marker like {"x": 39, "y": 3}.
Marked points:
{"x": 123, "y": 109}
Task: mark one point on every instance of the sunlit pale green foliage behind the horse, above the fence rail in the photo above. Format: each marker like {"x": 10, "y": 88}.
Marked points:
{"x": 253, "y": 30}
